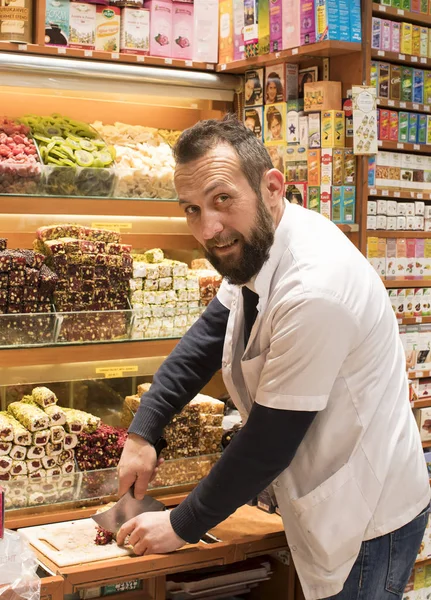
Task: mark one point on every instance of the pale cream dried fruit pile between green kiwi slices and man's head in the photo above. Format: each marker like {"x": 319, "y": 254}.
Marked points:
{"x": 144, "y": 159}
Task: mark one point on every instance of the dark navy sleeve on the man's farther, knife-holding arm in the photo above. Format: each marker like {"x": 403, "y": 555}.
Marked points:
{"x": 184, "y": 373}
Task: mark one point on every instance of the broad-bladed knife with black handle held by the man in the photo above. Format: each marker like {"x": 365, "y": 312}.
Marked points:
{"x": 128, "y": 506}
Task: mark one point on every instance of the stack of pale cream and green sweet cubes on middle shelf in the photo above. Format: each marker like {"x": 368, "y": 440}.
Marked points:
{"x": 167, "y": 296}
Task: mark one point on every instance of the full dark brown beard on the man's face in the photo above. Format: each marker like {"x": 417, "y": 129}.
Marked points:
{"x": 254, "y": 251}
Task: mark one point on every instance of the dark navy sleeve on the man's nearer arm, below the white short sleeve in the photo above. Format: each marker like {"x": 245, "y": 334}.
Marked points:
{"x": 263, "y": 448}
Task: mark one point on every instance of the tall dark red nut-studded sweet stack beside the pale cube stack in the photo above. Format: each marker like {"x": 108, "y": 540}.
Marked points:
{"x": 94, "y": 269}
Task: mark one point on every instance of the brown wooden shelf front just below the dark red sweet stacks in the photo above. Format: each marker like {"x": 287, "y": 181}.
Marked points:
{"x": 55, "y": 355}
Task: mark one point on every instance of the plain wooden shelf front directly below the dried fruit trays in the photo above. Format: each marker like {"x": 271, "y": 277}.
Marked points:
{"x": 27, "y": 205}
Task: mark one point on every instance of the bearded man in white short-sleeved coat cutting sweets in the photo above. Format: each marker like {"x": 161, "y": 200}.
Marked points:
{"x": 311, "y": 356}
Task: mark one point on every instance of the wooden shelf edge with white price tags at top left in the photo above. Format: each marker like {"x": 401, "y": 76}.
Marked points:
{"x": 116, "y": 57}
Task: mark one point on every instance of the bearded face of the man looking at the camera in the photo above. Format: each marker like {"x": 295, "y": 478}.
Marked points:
{"x": 224, "y": 214}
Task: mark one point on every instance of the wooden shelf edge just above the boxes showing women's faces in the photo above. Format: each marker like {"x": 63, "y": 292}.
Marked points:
{"x": 294, "y": 55}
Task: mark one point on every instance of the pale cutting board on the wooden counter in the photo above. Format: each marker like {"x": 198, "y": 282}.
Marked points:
{"x": 71, "y": 543}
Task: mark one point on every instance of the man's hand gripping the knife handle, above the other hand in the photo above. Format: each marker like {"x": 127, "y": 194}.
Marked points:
{"x": 138, "y": 465}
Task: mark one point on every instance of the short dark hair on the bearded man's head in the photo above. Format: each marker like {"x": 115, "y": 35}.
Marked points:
{"x": 196, "y": 141}
